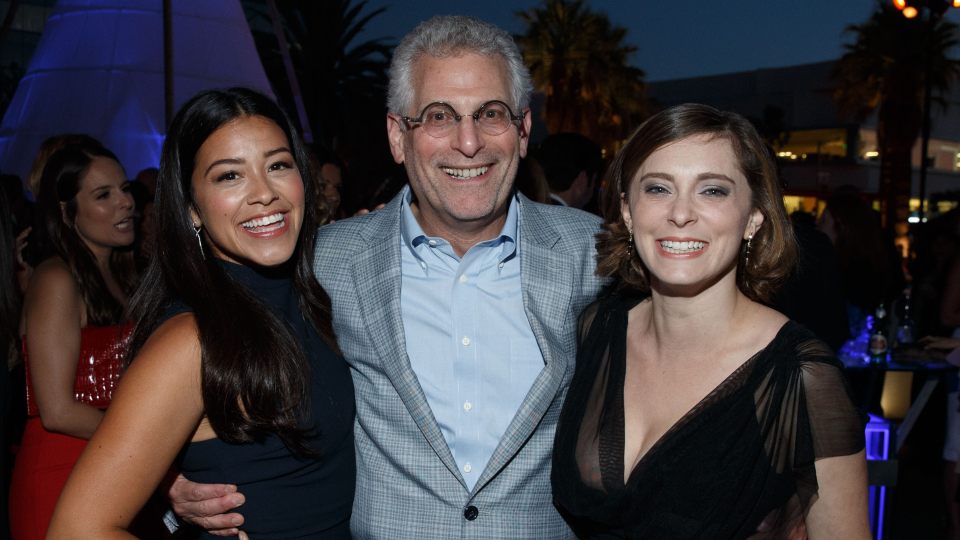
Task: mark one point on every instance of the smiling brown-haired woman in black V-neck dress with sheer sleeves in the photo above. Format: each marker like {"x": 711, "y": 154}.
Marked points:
{"x": 695, "y": 411}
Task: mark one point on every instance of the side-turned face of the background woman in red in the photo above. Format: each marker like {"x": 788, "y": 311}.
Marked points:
{"x": 104, "y": 216}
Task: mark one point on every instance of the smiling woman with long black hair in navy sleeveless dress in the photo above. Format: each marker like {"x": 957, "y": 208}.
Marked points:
{"x": 236, "y": 374}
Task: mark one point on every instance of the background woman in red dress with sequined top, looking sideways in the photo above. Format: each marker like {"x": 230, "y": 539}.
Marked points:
{"x": 70, "y": 314}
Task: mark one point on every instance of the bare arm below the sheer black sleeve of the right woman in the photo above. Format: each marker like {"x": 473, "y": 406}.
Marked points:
{"x": 840, "y": 511}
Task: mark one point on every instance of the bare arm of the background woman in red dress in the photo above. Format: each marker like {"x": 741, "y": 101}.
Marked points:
{"x": 53, "y": 316}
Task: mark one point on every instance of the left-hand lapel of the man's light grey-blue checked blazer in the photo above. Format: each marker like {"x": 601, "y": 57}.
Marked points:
{"x": 376, "y": 274}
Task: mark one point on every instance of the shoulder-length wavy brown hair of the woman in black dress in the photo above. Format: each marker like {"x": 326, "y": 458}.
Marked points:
{"x": 773, "y": 250}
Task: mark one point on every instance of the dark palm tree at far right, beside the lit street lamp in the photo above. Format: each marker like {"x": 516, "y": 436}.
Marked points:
{"x": 885, "y": 68}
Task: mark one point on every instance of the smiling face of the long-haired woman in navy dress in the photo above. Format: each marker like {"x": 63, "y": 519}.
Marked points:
{"x": 248, "y": 193}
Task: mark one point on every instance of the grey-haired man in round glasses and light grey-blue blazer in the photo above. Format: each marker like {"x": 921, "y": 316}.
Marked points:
{"x": 455, "y": 305}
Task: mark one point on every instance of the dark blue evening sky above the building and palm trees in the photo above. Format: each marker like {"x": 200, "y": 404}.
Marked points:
{"x": 677, "y": 38}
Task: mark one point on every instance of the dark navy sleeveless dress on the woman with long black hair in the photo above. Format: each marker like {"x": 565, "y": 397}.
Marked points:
{"x": 288, "y": 496}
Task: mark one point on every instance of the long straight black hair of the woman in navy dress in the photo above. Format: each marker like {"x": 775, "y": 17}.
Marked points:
{"x": 255, "y": 377}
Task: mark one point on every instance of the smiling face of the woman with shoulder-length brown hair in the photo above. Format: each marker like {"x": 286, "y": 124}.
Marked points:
{"x": 689, "y": 206}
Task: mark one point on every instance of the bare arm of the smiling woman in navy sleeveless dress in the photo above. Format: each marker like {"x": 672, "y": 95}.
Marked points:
{"x": 156, "y": 408}
